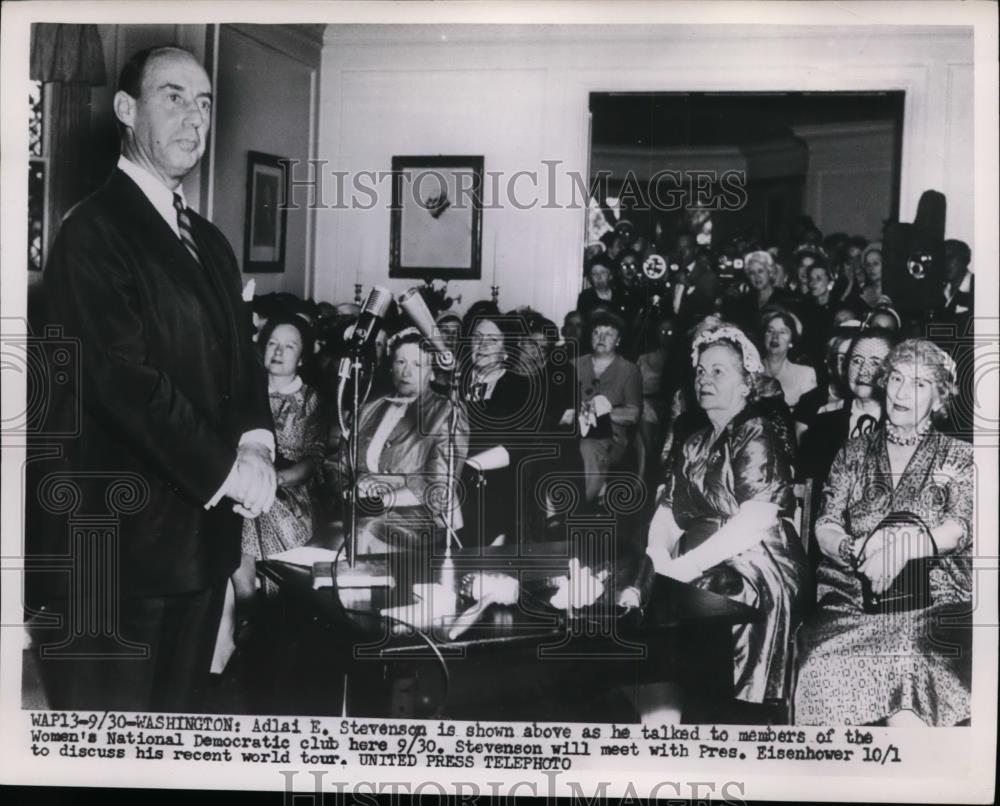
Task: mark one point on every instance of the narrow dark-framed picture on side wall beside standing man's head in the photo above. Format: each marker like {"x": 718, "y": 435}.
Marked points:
{"x": 266, "y": 222}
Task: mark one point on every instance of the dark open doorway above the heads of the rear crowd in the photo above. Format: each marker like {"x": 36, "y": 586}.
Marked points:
{"x": 735, "y": 171}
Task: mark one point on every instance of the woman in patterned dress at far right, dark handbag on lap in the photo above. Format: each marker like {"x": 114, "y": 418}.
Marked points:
{"x": 857, "y": 668}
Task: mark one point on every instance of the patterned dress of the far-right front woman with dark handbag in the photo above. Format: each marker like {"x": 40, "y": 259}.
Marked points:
{"x": 857, "y": 668}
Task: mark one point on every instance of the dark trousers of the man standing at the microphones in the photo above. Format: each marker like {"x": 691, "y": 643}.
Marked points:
{"x": 159, "y": 660}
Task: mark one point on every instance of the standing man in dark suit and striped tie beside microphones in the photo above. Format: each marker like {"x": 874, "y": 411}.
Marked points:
{"x": 171, "y": 410}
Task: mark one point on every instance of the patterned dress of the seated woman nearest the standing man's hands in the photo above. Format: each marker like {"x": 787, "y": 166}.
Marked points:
{"x": 299, "y": 433}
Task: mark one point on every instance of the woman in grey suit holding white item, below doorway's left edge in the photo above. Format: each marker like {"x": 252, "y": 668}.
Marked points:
{"x": 610, "y": 402}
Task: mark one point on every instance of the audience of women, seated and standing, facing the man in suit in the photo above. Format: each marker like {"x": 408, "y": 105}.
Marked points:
{"x": 730, "y": 402}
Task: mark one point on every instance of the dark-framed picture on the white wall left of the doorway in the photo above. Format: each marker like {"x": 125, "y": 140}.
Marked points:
{"x": 437, "y": 218}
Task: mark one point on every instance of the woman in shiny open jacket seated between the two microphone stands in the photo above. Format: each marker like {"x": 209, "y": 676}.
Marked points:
{"x": 403, "y": 448}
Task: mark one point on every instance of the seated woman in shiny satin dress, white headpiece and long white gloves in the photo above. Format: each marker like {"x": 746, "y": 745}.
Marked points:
{"x": 723, "y": 517}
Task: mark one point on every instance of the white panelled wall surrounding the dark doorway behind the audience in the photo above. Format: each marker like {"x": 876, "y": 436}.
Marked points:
{"x": 519, "y": 95}
